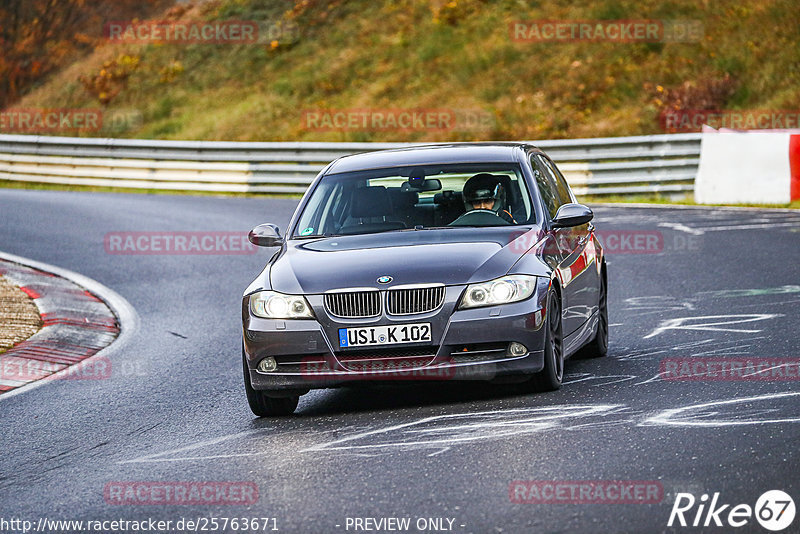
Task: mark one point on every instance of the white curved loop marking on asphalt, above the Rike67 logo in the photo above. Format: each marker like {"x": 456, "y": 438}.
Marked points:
{"x": 727, "y": 413}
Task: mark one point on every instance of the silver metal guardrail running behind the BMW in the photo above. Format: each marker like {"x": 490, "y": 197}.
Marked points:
{"x": 614, "y": 165}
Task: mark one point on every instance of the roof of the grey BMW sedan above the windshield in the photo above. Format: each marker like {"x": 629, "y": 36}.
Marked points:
{"x": 430, "y": 154}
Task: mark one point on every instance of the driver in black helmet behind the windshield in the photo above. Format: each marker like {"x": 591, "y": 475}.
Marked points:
{"x": 484, "y": 200}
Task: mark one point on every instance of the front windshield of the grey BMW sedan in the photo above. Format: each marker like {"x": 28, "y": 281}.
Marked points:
{"x": 417, "y": 197}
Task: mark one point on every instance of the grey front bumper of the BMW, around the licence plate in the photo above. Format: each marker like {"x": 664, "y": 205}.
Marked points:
{"x": 466, "y": 345}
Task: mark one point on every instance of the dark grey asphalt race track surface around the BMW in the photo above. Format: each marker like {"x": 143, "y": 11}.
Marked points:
{"x": 175, "y": 410}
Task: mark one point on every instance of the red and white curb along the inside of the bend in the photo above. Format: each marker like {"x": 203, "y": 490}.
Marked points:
{"x": 83, "y": 323}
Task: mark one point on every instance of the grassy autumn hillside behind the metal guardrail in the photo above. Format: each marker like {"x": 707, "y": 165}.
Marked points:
{"x": 427, "y": 55}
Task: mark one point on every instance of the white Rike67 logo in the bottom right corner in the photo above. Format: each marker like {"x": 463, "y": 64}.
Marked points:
{"x": 774, "y": 510}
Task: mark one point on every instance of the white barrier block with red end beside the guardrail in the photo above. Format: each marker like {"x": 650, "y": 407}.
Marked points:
{"x": 748, "y": 167}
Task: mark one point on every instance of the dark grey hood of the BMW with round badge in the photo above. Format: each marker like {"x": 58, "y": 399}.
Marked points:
{"x": 450, "y": 256}
